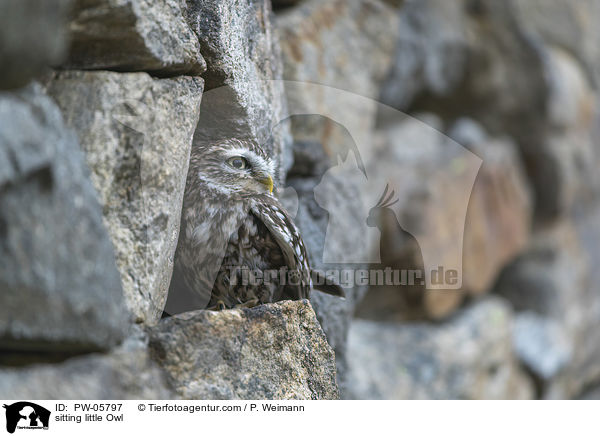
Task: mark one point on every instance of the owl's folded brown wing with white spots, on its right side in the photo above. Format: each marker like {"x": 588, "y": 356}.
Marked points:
{"x": 286, "y": 234}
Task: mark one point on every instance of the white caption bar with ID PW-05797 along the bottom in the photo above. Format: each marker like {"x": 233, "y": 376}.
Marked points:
{"x": 299, "y": 417}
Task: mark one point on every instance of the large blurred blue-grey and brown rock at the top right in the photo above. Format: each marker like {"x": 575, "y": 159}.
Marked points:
{"x": 462, "y": 56}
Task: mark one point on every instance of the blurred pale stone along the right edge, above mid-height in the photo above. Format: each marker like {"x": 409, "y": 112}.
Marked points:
{"x": 565, "y": 164}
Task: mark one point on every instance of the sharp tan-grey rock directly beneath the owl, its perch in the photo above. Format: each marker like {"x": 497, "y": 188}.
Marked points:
{"x": 274, "y": 351}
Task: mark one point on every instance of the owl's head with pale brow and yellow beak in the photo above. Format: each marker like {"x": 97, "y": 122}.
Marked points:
{"x": 233, "y": 166}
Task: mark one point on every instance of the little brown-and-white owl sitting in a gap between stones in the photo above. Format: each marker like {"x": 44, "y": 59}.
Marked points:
{"x": 238, "y": 247}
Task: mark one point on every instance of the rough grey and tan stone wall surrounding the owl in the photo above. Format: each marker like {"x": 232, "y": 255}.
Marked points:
{"x": 100, "y": 107}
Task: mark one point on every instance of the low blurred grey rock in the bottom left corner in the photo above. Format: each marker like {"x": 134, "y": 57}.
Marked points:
{"x": 126, "y": 373}
